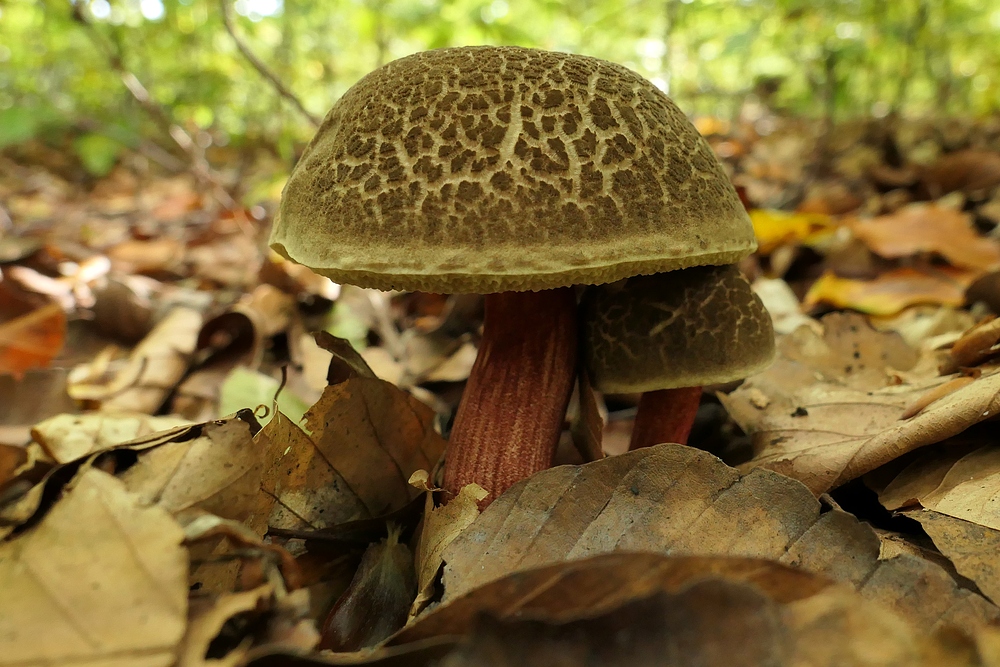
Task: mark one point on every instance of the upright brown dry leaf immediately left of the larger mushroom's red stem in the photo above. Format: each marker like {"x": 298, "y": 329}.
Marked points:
{"x": 375, "y": 436}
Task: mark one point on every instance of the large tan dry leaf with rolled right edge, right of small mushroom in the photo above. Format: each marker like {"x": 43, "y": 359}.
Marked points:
{"x": 830, "y": 417}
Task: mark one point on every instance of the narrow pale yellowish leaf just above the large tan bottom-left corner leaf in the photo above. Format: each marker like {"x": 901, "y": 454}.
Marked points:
{"x": 68, "y": 437}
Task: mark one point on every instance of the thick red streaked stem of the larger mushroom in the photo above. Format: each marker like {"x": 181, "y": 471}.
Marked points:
{"x": 511, "y": 415}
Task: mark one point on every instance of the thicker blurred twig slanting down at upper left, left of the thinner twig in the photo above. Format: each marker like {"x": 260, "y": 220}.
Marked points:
{"x": 199, "y": 165}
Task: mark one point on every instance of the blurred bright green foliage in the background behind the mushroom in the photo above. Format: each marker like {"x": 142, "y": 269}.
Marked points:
{"x": 832, "y": 57}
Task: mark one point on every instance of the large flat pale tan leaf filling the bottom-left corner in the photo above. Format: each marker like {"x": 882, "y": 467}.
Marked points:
{"x": 101, "y": 580}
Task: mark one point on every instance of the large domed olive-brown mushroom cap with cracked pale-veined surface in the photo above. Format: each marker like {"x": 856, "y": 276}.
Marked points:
{"x": 488, "y": 169}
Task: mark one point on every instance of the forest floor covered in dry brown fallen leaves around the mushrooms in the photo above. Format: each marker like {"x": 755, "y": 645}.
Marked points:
{"x": 190, "y": 474}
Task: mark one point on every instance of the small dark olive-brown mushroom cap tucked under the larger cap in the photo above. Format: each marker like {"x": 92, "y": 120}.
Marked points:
{"x": 686, "y": 328}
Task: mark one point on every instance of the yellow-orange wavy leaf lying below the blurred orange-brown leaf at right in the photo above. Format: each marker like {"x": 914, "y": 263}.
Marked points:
{"x": 892, "y": 291}
